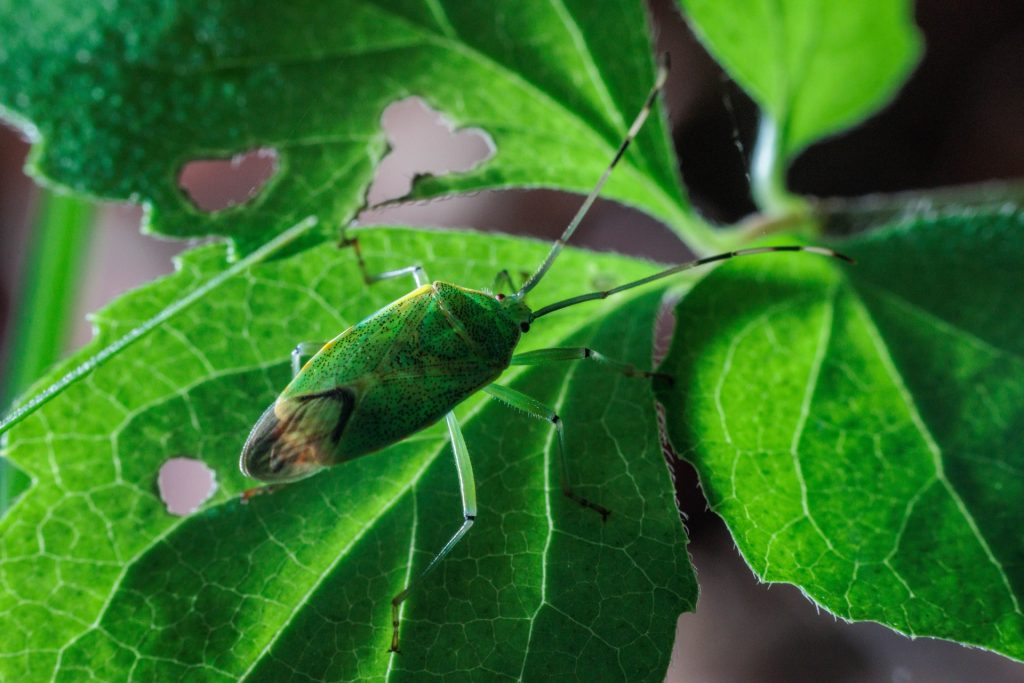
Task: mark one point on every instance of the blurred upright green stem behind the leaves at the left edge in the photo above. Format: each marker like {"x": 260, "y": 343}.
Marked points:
{"x": 58, "y": 248}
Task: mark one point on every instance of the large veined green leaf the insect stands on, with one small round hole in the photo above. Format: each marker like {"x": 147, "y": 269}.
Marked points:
{"x": 97, "y": 579}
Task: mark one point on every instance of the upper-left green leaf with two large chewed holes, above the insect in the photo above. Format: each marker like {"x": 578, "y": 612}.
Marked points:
{"x": 120, "y": 100}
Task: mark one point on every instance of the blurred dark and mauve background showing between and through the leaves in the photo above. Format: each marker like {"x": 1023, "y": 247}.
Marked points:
{"x": 958, "y": 121}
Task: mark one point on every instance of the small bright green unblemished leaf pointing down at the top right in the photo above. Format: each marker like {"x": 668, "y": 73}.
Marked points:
{"x": 815, "y": 67}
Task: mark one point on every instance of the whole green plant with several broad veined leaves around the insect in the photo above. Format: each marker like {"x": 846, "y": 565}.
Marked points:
{"x": 855, "y": 429}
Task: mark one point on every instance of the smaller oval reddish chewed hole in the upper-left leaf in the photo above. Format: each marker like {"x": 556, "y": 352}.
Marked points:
{"x": 215, "y": 185}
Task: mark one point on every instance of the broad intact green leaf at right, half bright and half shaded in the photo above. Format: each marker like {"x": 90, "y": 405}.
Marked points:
{"x": 859, "y": 429}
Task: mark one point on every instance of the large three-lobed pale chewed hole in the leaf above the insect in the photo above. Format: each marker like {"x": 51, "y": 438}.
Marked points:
{"x": 424, "y": 142}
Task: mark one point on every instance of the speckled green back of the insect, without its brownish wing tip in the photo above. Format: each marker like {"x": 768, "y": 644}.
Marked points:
{"x": 406, "y": 366}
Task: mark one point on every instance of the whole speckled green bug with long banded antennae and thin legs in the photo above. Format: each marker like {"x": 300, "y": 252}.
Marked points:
{"x": 413, "y": 362}
